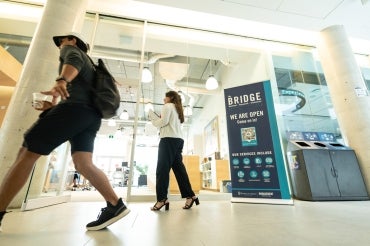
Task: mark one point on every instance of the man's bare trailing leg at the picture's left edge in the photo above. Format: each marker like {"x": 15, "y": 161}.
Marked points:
{"x": 17, "y": 176}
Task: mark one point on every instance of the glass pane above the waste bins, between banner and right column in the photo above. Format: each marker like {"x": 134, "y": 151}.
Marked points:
{"x": 304, "y": 100}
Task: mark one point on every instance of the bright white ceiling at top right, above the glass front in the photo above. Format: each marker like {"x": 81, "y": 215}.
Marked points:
{"x": 309, "y": 15}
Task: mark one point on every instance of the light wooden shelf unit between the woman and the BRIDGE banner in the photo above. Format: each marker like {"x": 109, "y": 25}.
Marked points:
{"x": 213, "y": 172}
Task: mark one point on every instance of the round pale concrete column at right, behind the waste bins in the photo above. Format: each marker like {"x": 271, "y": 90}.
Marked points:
{"x": 348, "y": 92}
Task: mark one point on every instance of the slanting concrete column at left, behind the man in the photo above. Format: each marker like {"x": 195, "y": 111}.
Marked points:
{"x": 39, "y": 72}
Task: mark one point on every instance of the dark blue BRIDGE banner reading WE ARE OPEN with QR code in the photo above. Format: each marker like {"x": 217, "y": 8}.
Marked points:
{"x": 257, "y": 168}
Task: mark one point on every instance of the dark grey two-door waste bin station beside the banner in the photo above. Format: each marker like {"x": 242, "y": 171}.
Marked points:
{"x": 325, "y": 171}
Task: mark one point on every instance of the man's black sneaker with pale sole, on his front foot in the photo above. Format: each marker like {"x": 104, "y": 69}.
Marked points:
{"x": 108, "y": 216}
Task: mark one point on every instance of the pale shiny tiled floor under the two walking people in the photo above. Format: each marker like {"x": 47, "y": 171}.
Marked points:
{"x": 211, "y": 223}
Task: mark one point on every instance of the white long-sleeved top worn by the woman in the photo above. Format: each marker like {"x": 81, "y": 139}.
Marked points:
{"x": 168, "y": 123}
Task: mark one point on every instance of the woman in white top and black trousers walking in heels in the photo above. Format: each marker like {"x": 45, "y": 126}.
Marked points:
{"x": 170, "y": 152}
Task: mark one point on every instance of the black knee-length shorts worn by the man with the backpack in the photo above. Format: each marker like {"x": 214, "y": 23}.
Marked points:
{"x": 73, "y": 122}
